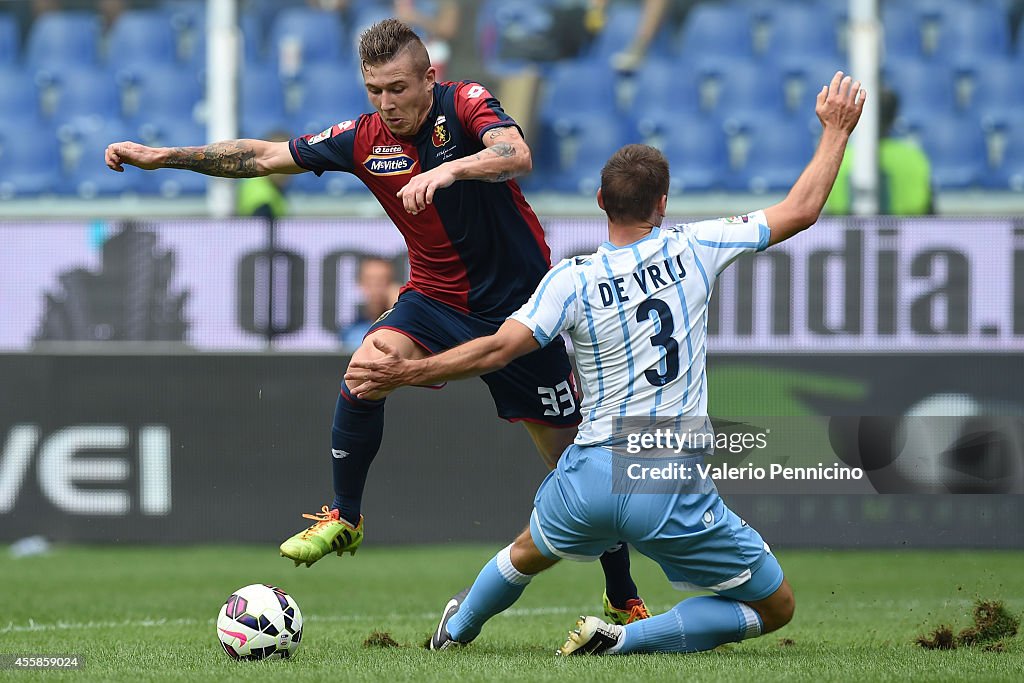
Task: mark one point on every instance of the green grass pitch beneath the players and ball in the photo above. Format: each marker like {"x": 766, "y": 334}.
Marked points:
{"x": 148, "y": 614}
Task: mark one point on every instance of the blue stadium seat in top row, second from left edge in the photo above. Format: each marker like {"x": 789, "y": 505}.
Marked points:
{"x": 58, "y": 39}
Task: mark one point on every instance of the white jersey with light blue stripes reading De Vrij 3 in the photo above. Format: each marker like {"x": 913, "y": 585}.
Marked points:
{"x": 638, "y": 319}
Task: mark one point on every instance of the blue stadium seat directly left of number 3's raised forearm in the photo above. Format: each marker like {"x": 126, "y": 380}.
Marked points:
{"x": 778, "y": 151}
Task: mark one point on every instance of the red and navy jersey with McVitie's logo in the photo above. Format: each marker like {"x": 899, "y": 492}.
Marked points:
{"x": 480, "y": 247}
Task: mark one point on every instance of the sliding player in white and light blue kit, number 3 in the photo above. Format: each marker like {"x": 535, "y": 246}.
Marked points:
{"x": 636, "y": 312}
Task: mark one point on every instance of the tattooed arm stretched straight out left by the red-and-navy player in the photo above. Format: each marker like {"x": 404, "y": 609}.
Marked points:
{"x": 231, "y": 159}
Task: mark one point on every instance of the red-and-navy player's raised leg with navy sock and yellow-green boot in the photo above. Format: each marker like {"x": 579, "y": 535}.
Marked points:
{"x": 356, "y": 439}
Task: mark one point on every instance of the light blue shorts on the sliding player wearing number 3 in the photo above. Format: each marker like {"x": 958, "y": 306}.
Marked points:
{"x": 698, "y": 541}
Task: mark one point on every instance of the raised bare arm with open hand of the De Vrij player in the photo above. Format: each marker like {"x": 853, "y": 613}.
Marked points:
{"x": 839, "y": 107}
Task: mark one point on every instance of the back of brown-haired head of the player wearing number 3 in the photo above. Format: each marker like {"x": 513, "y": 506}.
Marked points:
{"x": 633, "y": 182}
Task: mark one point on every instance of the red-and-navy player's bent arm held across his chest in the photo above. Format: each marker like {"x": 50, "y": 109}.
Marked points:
{"x": 505, "y": 156}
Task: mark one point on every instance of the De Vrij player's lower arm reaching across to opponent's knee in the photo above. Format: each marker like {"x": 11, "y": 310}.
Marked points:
{"x": 479, "y": 357}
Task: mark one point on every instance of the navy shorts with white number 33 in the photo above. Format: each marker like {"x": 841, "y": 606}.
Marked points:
{"x": 537, "y": 388}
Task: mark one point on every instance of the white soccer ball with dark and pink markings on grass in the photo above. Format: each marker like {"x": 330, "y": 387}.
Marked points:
{"x": 260, "y": 622}
